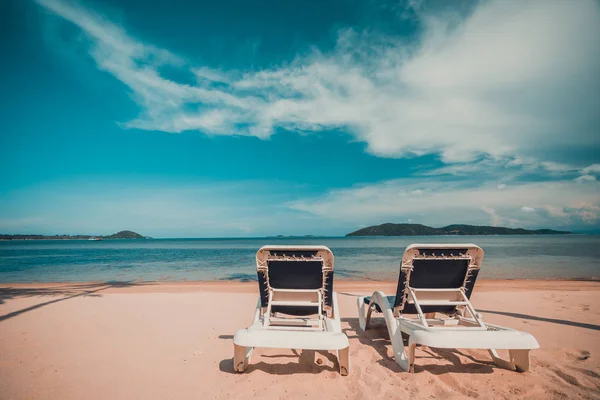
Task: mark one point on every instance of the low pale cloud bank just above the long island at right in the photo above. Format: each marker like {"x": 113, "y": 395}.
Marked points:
{"x": 565, "y": 203}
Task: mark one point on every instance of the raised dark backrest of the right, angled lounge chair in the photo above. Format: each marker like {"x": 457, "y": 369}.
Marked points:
{"x": 437, "y": 266}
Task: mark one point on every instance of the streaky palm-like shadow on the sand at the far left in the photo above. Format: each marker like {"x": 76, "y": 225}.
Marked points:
{"x": 66, "y": 291}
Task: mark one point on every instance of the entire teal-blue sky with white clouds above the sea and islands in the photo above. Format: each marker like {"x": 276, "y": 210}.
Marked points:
{"x": 256, "y": 118}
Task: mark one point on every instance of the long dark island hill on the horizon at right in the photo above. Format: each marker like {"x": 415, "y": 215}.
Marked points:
{"x": 390, "y": 229}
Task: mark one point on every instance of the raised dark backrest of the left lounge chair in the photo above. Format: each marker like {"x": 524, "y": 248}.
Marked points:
{"x": 295, "y": 267}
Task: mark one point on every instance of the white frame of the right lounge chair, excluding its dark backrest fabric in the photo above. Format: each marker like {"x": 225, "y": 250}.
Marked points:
{"x": 456, "y": 330}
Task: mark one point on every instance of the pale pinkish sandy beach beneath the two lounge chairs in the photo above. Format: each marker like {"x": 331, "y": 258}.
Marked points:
{"x": 174, "y": 341}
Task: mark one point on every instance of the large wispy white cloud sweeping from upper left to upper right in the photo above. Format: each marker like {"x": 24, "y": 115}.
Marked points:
{"x": 493, "y": 83}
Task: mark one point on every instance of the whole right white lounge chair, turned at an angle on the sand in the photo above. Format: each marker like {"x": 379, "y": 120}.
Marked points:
{"x": 437, "y": 281}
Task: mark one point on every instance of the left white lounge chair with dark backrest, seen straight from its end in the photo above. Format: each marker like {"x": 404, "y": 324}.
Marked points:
{"x": 297, "y": 307}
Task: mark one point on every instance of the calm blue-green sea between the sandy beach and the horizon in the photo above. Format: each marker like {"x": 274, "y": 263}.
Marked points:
{"x": 573, "y": 256}
